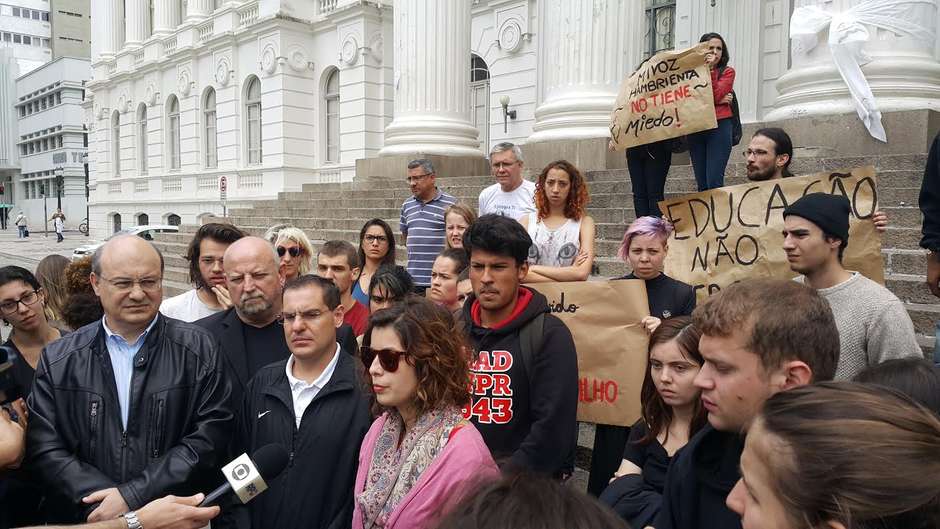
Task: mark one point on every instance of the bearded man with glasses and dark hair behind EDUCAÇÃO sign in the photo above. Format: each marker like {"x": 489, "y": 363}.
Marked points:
{"x": 769, "y": 154}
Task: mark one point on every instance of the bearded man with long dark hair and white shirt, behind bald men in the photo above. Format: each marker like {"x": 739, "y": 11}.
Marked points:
{"x": 204, "y": 254}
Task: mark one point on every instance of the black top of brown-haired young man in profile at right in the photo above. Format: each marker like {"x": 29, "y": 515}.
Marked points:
{"x": 700, "y": 478}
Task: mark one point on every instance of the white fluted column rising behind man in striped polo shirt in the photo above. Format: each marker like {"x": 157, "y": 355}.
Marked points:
{"x": 431, "y": 79}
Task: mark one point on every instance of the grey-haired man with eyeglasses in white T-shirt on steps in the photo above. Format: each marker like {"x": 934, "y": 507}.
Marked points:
{"x": 511, "y": 196}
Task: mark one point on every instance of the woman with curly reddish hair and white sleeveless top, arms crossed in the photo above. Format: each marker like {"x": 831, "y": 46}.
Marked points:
{"x": 562, "y": 235}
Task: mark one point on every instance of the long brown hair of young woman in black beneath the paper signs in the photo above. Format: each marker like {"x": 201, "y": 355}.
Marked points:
{"x": 656, "y": 413}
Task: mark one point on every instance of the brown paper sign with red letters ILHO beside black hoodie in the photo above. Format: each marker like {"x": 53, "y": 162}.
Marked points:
{"x": 604, "y": 319}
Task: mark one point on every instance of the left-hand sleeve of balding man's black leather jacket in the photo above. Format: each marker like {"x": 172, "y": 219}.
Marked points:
{"x": 47, "y": 452}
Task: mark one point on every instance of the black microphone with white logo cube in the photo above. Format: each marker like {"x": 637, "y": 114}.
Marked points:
{"x": 247, "y": 476}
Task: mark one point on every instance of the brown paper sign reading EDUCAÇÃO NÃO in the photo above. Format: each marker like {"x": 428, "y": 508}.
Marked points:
{"x": 731, "y": 233}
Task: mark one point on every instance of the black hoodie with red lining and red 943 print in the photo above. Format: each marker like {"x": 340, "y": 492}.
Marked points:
{"x": 528, "y": 419}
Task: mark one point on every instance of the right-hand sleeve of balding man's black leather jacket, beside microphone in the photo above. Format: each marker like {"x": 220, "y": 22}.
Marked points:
{"x": 197, "y": 451}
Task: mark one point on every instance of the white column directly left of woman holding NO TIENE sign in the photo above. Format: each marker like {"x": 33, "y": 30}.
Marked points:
{"x": 587, "y": 48}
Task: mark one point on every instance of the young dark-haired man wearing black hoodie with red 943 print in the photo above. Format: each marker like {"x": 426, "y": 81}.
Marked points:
{"x": 524, "y": 368}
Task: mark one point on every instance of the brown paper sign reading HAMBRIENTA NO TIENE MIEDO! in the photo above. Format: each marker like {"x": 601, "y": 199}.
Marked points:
{"x": 670, "y": 95}
